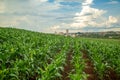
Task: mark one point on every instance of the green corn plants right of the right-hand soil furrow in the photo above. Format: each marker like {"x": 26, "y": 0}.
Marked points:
{"x": 105, "y": 56}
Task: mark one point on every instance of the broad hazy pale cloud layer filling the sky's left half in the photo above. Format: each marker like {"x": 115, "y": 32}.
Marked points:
{"x": 28, "y": 14}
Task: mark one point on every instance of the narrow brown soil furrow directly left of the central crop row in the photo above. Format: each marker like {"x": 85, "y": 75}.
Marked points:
{"x": 67, "y": 67}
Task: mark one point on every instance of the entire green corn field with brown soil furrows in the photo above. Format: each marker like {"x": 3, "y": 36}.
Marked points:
{"x": 27, "y": 55}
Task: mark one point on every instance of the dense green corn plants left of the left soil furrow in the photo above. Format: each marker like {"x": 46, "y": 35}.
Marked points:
{"x": 23, "y": 54}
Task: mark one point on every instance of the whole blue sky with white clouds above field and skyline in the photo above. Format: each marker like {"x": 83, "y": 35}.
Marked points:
{"x": 49, "y": 16}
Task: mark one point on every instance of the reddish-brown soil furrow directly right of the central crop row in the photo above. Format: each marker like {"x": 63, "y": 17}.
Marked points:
{"x": 89, "y": 69}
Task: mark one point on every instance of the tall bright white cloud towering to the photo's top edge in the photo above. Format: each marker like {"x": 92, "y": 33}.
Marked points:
{"x": 87, "y": 16}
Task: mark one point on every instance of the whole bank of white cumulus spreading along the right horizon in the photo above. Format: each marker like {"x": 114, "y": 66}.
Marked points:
{"x": 91, "y": 18}
